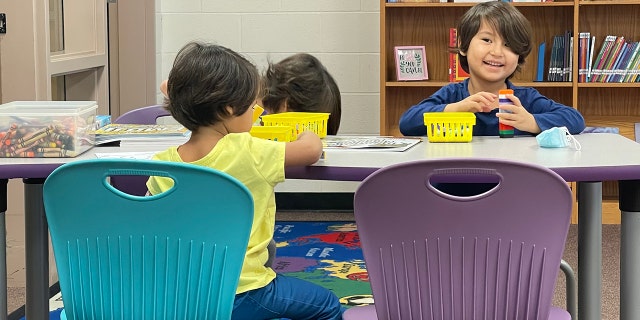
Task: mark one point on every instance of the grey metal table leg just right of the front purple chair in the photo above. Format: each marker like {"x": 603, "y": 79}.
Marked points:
{"x": 589, "y": 250}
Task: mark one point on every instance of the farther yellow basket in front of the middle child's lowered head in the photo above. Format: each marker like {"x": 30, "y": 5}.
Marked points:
{"x": 299, "y": 121}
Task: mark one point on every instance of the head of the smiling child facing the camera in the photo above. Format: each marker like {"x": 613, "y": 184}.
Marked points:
{"x": 494, "y": 39}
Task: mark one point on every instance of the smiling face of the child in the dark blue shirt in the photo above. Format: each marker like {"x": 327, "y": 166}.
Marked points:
{"x": 489, "y": 57}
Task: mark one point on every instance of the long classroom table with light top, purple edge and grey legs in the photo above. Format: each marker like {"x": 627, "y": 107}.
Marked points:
{"x": 603, "y": 157}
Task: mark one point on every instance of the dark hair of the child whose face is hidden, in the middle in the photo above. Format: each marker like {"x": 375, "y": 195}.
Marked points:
{"x": 304, "y": 85}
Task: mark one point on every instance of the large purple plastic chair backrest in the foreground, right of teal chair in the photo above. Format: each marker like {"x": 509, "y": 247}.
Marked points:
{"x": 431, "y": 255}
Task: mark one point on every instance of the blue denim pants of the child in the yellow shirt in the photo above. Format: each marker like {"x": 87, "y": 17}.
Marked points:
{"x": 287, "y": 297}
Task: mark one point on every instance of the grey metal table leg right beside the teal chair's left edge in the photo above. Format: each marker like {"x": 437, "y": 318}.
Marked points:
{"x": 36, "y": 251}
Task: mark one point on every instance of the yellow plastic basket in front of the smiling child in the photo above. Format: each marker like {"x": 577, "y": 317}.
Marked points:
{"x": 449, "y": 126}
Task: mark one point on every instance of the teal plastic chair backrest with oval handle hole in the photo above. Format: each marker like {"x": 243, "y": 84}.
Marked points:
{"x": 173, "y": 255}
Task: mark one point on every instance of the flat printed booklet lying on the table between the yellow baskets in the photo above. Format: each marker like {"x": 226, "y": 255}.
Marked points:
{"x": 370, "y": 143}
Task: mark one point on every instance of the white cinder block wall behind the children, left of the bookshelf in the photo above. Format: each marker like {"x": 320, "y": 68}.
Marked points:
{"x": 343, "y": 34}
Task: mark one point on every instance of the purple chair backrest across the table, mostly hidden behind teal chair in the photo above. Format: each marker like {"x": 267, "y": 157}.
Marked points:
{"x": 136, "y": 185}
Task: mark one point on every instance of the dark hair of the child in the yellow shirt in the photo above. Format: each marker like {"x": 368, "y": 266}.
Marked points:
{"x": 205, "y": 79}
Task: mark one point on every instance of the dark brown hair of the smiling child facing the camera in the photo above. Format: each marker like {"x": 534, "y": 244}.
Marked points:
{"x": 511, "y": 24}
